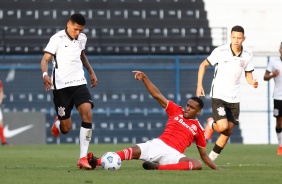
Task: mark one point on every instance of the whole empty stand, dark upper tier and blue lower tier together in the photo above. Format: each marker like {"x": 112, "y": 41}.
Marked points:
{"x": 124, "y": 112}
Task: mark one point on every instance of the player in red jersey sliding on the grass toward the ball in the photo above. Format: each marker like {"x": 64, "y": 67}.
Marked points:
{"x": 167, "y": 151}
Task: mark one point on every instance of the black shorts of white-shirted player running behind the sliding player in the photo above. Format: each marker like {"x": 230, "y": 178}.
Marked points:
{"x": 225, "y": 110}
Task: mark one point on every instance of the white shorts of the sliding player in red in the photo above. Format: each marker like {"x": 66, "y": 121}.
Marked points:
{"x": 157, "y": 151}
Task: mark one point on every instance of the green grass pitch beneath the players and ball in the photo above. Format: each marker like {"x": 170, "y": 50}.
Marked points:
{"x": 57, "y": 164}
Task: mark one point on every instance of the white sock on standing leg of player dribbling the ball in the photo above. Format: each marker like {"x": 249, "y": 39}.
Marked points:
{"x": 84, "y": 138}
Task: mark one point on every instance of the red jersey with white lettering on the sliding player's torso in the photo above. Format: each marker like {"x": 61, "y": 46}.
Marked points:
{"x": 180, "y": 132}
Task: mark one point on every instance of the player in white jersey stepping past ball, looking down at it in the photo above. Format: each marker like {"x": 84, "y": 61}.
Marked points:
{"x": 68, "y": 81}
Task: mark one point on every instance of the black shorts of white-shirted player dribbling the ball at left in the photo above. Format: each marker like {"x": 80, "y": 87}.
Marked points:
{"x": 64, "y": 99}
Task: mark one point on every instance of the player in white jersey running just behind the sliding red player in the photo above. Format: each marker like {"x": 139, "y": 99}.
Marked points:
{"x": 230, "y": 61}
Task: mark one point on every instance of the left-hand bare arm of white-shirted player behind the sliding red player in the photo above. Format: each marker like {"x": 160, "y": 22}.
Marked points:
{"x": 201, "y": 72}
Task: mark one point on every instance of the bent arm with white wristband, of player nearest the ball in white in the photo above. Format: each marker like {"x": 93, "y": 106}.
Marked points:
{"x": 44, "y": 68}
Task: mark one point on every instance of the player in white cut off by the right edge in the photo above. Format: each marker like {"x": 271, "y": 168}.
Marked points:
{"x": 273, "y": 71}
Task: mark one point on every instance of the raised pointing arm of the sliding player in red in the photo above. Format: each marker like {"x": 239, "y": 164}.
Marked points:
{"x": 153, "y": 90}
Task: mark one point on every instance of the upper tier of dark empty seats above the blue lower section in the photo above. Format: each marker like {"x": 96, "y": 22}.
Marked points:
{"x": 113, "y": 26}
